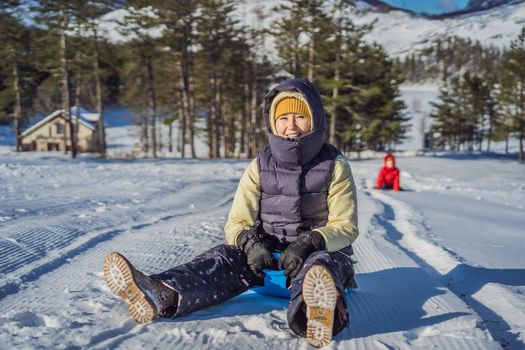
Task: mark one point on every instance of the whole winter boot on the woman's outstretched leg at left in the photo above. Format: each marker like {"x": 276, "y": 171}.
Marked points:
{"x": 147, "y": 297}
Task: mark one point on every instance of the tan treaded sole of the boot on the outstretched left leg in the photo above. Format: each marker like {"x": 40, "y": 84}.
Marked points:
{"x": 120, "y": 279}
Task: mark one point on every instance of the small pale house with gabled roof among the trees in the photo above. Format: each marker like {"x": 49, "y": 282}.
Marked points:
{"x": 49, "y": 133}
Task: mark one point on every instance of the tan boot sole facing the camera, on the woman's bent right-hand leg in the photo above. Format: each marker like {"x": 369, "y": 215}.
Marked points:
{"x": 320, "y": 296}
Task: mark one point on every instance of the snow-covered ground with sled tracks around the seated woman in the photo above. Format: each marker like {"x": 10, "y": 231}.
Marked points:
{"x": 441, "y": 265}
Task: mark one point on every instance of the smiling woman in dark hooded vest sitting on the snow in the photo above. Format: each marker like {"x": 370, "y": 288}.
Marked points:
{"x": 296, "y": 197}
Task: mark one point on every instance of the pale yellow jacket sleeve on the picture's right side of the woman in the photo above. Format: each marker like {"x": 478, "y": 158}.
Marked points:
{"x": 341, "y": 228}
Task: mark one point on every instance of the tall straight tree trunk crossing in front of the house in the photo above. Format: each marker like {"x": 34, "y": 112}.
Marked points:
{"x": 65, "y": 85}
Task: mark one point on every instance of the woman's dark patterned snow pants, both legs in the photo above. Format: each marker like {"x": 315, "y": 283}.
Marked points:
{"x": 222, "y": 273}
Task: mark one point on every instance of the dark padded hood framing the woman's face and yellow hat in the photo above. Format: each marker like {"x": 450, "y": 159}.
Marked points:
{"x": 299, "y": 151}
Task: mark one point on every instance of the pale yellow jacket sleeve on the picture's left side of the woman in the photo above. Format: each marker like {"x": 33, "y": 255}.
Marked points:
{"x": 245, "y": 206}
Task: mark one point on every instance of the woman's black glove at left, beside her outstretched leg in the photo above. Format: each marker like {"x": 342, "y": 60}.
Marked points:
{"x": 258, "y": 249}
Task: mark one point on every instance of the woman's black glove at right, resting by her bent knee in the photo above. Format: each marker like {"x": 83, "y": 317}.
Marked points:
{"x": 294, "y": 256}
